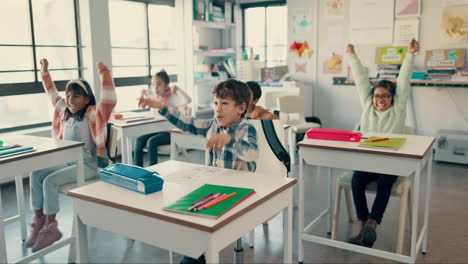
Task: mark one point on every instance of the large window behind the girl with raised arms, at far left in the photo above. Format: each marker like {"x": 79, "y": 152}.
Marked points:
{"x": 35, "y": 29}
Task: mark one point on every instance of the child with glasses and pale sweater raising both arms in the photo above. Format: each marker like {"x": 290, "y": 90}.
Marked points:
{"x": 384, "y": 110}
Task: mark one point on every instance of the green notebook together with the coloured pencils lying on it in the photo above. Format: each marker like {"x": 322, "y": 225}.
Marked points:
{"x": 195, "y": 203}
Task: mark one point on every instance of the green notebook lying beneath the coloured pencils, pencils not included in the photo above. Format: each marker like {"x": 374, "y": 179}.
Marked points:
{"x": 215, "y": 211}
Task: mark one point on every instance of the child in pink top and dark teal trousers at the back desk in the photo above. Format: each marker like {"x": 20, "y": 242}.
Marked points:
{"x": 167, "y": 95}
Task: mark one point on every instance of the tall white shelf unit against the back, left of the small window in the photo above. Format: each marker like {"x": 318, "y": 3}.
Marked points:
{"x": 212, "y": 35}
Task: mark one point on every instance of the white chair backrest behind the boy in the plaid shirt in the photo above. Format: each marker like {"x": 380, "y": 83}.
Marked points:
{"x": 268, "y": 163}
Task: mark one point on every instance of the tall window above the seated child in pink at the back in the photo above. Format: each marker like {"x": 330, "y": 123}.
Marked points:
{"x": 142, "y": 44}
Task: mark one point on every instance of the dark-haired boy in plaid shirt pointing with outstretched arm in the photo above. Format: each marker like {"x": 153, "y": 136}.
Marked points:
{"x": 232, "y": 140}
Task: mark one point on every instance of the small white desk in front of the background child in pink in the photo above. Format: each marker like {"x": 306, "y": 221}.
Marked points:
{"x": 129, "y": 131}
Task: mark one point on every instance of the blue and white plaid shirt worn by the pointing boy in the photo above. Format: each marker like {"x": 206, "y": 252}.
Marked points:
{"x": 239, "y": 154}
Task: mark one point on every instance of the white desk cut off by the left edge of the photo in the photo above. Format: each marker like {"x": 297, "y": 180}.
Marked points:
{"x": 48, "y": 152}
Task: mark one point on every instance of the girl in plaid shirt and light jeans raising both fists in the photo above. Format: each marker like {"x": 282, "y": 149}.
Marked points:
{"x": 76, "y": 118}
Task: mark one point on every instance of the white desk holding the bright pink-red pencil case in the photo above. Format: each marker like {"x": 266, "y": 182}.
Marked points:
{"x": 410, "y": 158}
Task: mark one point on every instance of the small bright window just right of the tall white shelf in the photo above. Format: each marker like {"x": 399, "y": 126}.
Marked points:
{"x": 266, "y": 33}
